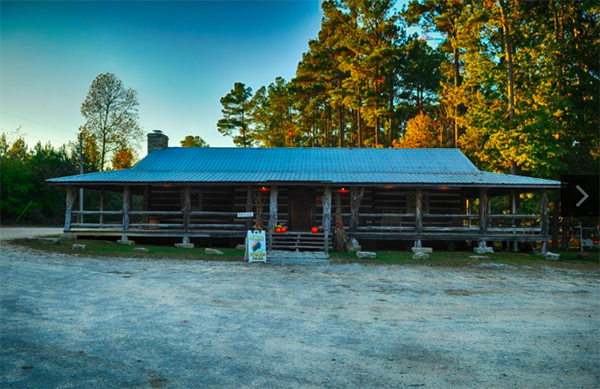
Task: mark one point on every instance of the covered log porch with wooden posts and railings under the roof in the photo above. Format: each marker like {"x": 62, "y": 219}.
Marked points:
{"x": 414, "y": 213}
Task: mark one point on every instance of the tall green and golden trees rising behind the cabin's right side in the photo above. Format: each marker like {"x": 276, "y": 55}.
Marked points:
{"x": 514, "y": 84}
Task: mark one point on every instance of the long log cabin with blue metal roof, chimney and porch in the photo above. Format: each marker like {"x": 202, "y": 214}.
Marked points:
{"x": 413, "y": 195}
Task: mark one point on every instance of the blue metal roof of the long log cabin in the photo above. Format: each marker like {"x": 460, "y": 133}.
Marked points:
{"x": 331, "y": 165}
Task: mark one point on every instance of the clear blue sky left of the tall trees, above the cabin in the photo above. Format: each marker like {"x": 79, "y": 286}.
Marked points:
{"x": 181, "y": 57}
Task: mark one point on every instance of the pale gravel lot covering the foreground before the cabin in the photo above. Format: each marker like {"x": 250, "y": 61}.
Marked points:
{"x": 71, "y": 321}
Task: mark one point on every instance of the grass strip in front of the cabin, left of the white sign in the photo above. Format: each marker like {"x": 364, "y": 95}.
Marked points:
{"x": 102, "y": 248}
